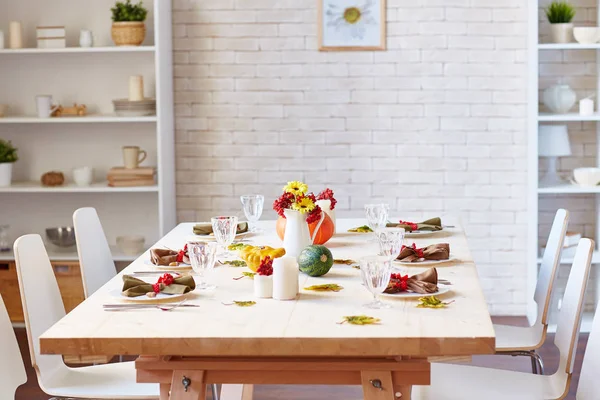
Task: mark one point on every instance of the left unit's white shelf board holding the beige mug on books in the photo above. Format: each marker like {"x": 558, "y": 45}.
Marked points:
{"x": 36, "y": 187}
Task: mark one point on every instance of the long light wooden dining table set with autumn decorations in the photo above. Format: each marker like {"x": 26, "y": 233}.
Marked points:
{"x": 299, "y": 341}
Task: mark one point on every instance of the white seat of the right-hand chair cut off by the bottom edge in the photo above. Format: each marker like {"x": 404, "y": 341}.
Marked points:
{"x": 464, "y": 382}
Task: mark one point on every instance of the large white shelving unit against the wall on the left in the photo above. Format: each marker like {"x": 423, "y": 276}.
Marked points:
{"x": 92, "y": 76}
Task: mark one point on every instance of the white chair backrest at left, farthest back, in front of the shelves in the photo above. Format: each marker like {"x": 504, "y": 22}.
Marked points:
{"x": 95, "y": 259}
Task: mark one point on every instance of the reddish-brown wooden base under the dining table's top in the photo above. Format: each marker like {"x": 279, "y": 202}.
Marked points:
{"x": 185, "y": 378}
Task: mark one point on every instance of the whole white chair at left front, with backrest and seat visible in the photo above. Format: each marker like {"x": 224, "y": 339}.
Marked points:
{"x": 43, "y": 307}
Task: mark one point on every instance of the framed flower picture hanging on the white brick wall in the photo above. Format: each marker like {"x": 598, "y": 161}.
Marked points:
{"x": 351, "y": 25}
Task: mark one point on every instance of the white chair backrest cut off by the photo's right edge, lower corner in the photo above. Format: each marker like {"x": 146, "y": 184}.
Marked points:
{"x": 589, "y": 384}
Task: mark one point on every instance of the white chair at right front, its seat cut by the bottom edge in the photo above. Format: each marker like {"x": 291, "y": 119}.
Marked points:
{"x": 459, "y": 382}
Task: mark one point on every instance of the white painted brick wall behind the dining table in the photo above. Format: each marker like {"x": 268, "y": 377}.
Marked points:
{"x": 434, "y": 125}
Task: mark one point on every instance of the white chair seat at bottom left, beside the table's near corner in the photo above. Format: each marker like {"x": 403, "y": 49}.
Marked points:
{"x": 108, "y": 381}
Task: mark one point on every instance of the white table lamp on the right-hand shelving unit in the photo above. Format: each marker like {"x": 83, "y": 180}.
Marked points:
{"x": 553, "y": 142}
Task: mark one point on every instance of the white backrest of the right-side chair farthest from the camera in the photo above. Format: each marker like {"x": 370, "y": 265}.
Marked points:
{"x": 550, "y": 265}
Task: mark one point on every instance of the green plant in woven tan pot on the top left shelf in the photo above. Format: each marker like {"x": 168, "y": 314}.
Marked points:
{"x": 128, "y": 27}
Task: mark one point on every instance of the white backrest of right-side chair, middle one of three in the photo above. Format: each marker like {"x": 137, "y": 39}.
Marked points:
{"x": 569, "y": 317}
